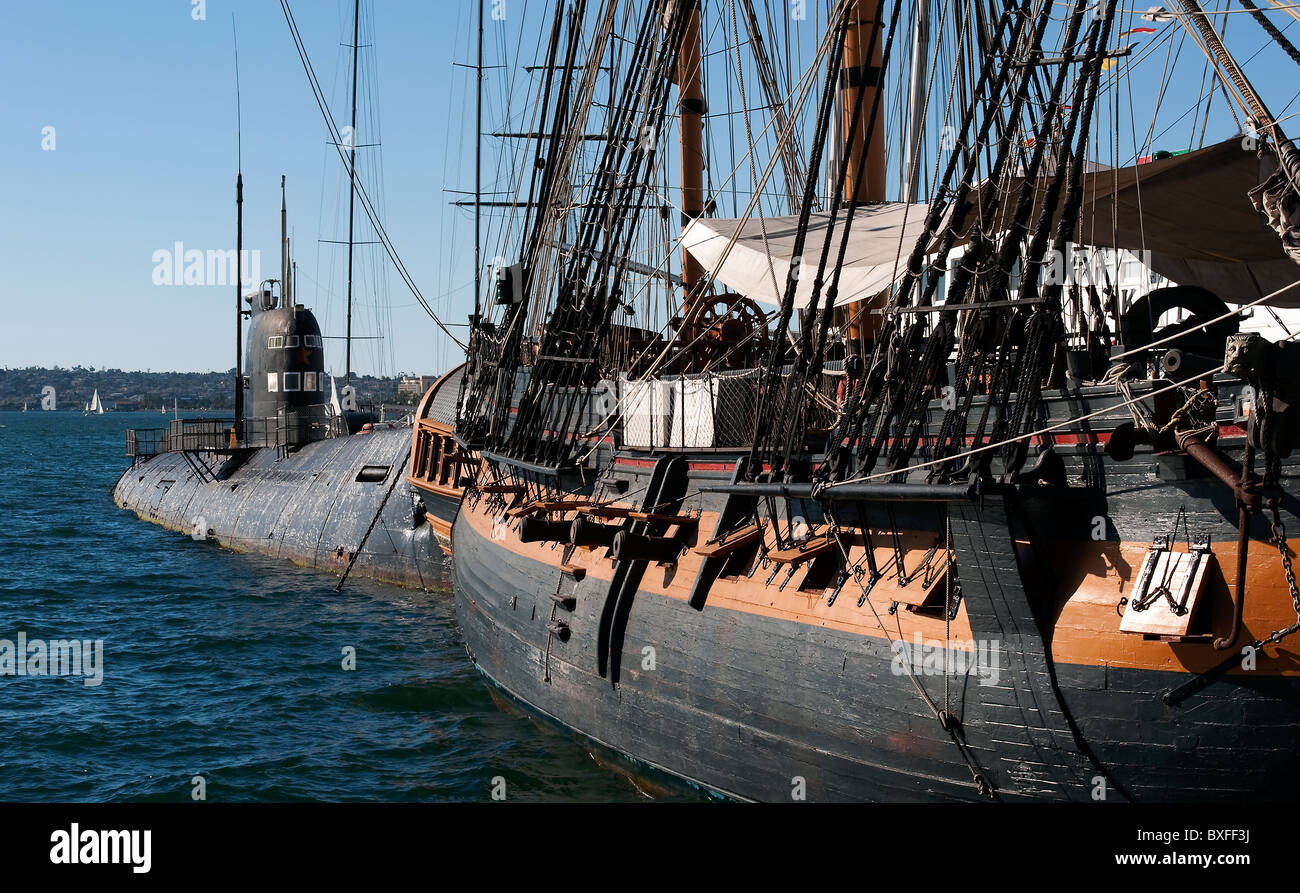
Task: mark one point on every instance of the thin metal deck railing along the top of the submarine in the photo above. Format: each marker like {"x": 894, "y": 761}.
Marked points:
{"x": 224, "y": 436}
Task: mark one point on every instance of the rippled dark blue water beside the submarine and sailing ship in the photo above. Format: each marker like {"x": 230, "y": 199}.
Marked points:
{"x": 231, "y": 667}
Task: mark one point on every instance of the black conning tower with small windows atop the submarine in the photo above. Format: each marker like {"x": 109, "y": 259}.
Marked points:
{"x": 285, "y": 366}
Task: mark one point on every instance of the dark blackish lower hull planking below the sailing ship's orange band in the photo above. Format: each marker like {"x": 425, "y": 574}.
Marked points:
{"x": 749, "y": 706}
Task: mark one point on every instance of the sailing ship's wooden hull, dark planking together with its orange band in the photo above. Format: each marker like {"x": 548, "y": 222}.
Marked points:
{"x": 752, "y": 705}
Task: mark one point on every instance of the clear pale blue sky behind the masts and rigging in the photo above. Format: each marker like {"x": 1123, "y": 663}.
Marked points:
{"x": 141, "y": 97}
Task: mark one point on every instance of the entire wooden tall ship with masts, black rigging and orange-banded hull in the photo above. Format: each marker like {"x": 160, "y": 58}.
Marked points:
{"x": 816, "y": 470}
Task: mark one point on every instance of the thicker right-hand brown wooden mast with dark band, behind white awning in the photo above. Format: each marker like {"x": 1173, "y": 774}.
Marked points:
{"x": 861, "y": 73}
